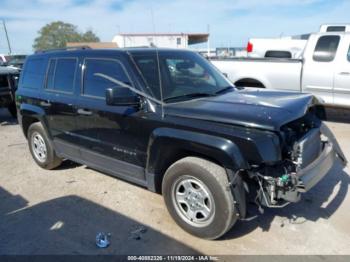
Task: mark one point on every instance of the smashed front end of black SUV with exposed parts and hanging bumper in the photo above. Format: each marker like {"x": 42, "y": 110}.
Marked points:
{"x": 309, "y": 152}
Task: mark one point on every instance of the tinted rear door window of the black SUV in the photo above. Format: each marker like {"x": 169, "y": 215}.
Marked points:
{"x": 61, "y": 74}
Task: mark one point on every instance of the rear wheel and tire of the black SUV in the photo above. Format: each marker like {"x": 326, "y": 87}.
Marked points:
{"x": 41, "y": 147}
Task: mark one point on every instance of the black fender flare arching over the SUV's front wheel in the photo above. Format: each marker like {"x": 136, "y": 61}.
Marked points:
{"x": 167, "y": 146}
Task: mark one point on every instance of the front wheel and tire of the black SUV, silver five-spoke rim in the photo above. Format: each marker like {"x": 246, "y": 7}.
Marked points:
{"x": 198, "y": 197}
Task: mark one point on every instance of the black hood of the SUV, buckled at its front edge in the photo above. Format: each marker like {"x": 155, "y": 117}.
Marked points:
{"x": 250, "y": 107}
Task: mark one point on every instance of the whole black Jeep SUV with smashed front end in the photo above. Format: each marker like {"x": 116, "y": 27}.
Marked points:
{"x": 168, "y": 120}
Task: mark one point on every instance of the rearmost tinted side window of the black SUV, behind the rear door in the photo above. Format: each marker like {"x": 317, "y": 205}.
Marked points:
{"x": 33, "y": 73}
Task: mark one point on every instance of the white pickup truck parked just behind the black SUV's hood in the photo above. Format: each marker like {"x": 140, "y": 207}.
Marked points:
{"x": 324, "y": 69}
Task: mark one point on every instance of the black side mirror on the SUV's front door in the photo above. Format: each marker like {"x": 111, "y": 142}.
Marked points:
{"x": 121, "y": 96}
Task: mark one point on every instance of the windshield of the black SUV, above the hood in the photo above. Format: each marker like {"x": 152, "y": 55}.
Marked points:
{"x": 184, "y": 75}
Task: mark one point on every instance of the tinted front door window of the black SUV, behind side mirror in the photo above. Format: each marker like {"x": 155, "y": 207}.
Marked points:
{"x": 95, "y": 85}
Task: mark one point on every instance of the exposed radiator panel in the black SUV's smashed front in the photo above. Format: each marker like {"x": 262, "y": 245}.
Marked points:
{"x": 308, "y": 148}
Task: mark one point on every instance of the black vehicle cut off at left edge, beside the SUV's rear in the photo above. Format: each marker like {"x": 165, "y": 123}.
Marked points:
{"x": 8, "y": 85}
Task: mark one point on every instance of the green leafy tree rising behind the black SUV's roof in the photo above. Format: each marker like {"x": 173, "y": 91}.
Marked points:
{"x": 57, "y": 34}
